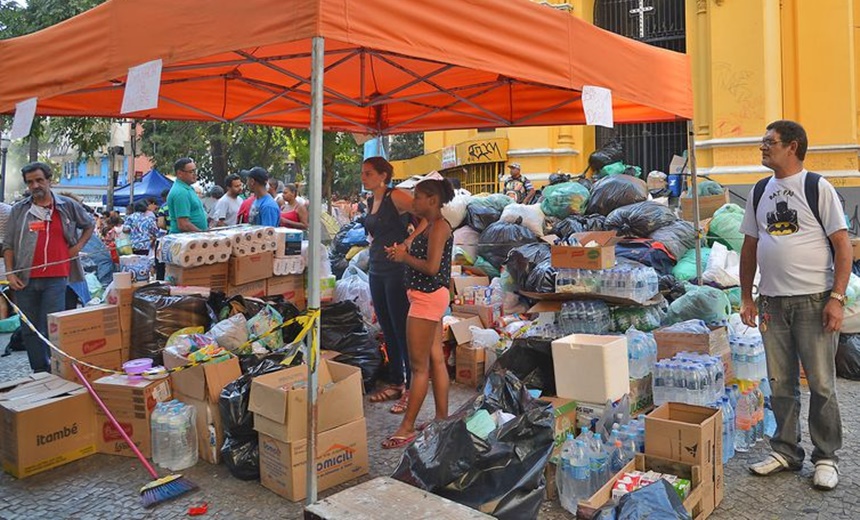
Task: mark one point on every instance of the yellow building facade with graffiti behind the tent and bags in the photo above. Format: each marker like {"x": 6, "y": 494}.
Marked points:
{"x": 754, "y": 61}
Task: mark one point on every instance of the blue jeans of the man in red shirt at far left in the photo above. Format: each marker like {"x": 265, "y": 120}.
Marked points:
{"x": 40, "y": 297}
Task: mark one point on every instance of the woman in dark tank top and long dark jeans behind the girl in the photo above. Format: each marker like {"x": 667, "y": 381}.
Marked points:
{"x": 387, "y": 223}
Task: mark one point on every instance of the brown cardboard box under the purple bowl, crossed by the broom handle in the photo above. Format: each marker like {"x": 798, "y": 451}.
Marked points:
{"x": 131, "y": 401}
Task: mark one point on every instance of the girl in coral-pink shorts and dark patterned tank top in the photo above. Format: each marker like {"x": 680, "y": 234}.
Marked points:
{"x": 427, "y": 277}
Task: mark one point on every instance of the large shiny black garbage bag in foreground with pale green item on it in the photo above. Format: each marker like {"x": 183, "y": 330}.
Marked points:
{"x": 502, "y": 475}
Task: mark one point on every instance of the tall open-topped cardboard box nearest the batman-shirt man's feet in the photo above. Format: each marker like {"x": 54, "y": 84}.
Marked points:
{"x": 693, "y": 435}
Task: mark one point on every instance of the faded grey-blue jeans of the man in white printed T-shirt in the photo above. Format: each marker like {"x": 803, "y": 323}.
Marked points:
{"x": 794, "y": 332}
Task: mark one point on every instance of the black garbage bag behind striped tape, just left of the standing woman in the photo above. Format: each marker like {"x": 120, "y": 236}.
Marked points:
{"x": 342, "y": 329}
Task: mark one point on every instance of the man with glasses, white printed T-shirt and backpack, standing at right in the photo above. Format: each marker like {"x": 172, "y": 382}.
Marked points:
{"x": 795, "y": 233}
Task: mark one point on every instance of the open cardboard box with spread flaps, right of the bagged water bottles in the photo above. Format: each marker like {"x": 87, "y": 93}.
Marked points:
{"x": 201, "y": 386}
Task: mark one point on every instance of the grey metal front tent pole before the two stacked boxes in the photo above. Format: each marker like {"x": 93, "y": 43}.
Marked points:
{"x": 314, "y": 267}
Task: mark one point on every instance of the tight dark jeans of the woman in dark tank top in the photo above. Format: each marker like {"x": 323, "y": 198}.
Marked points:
{"x": 392, "y": 306}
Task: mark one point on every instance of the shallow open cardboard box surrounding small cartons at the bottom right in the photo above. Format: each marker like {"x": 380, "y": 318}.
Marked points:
{"x": 693, "y": 503}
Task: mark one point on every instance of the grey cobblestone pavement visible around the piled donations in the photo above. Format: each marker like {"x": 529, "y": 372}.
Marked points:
{"x": 105, "y": 487}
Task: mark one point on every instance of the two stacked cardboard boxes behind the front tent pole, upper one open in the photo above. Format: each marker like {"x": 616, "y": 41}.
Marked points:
{"x": 279, "y": 403}
